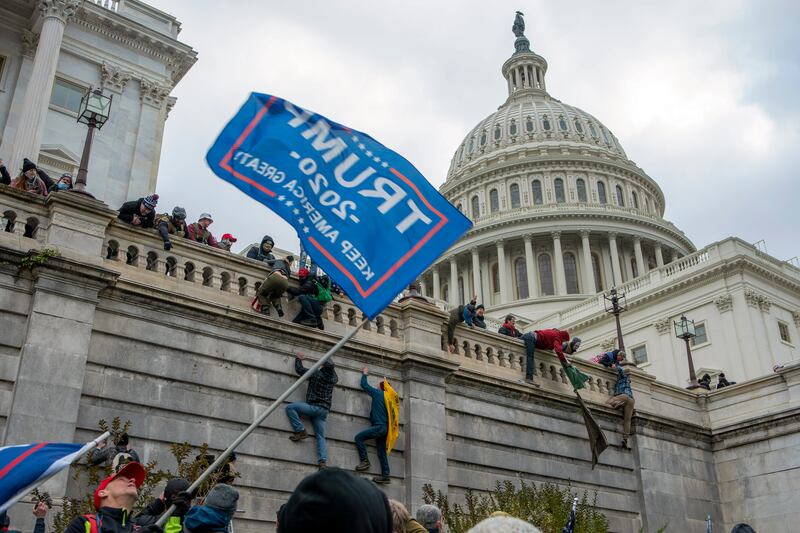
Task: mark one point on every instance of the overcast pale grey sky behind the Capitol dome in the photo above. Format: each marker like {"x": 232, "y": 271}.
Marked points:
{"x": 704, "y": 99}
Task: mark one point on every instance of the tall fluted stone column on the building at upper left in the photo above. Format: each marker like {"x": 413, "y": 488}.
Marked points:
{"x": 28, "y": 139}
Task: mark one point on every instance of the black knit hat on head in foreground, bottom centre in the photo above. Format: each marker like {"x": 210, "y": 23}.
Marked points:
{"x": 336, "y": 500}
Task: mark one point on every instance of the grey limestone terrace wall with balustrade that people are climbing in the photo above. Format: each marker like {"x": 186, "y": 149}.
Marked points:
{"x": 177, "y": 350}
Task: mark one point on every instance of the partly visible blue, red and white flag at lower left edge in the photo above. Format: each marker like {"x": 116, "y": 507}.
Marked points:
{"x": 24, "y": 467}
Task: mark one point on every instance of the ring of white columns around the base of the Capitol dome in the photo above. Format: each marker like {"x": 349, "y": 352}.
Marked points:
{"x": 535, "y": 265}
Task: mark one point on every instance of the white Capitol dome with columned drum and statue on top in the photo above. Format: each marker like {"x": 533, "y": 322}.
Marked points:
{"x": 559, "y": 211}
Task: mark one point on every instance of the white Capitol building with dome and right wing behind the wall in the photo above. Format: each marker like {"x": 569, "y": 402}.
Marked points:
{"x": 561, "y": 215}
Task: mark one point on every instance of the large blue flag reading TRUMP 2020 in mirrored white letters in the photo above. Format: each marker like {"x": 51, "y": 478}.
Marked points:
{"x": 369, "y": 218}
